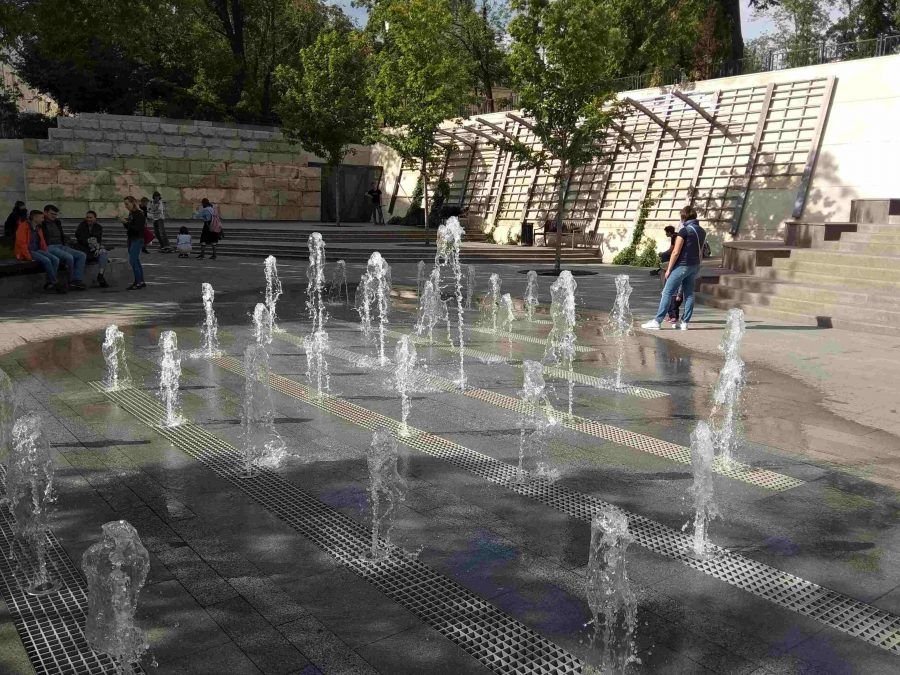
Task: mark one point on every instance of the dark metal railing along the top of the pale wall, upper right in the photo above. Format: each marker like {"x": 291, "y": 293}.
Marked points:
{"x": 756, "y": 61}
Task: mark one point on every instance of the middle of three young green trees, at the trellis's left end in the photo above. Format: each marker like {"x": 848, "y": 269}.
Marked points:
{"x": 420, "y": 77}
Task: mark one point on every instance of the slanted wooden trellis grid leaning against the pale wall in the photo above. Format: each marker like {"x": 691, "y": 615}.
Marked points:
{"x": 718, "y": 149}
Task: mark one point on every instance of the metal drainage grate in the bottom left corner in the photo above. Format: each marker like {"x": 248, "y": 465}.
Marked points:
{"x": 51, "y": 627}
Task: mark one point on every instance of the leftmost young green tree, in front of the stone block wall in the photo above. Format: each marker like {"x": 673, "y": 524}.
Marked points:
{"x": 324, "y": 104}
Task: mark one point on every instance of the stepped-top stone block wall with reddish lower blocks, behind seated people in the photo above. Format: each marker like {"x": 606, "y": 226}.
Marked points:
{"x": 94, "y": 161}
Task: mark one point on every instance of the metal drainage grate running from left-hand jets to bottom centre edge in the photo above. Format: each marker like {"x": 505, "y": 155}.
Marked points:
{"x": 497, "y": 640}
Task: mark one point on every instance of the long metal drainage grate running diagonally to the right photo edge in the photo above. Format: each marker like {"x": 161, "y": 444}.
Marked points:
{"x": 838, "y": 611}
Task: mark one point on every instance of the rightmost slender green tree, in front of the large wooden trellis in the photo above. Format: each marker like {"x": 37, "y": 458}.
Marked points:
{"x": 563, "y": 54}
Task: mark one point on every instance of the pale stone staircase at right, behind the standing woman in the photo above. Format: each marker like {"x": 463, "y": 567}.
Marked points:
{"x": 840, "y": 275}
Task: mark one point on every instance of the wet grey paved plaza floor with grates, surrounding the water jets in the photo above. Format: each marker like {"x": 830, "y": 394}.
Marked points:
{"x": 264, "y": 575}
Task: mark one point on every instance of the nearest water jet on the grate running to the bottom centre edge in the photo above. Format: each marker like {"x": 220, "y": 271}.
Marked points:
{"x": 387, "y": 489}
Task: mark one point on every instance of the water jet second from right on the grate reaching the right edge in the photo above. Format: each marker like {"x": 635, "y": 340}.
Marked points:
{"x": 535, "y": 423}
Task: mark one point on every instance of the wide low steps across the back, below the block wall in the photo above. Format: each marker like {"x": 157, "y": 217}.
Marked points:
{"x": 352, "y": 243}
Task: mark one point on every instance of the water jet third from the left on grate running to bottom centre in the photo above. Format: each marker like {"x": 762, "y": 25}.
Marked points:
{"x": 261, "y": 445}
